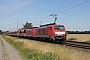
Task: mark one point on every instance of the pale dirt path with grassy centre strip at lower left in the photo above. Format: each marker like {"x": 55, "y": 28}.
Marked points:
{"x": 7, "y": 52}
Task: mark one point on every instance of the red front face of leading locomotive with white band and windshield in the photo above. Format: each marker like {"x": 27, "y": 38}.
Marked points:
{"x": 59, "y": 32}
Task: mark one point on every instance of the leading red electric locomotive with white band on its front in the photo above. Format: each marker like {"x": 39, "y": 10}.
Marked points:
{"x": 52, "y": 32}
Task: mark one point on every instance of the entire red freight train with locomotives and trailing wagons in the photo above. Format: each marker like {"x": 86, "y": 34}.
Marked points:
{"x": 51, "y": 32}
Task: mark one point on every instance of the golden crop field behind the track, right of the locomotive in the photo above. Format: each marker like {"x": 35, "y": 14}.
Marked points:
{"x": 79, "y": 37}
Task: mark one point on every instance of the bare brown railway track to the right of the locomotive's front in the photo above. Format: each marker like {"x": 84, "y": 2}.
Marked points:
{"x": 78, "y": 44}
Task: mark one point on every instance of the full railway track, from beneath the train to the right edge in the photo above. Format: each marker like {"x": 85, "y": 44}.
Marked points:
{"x": 82, "y": 45}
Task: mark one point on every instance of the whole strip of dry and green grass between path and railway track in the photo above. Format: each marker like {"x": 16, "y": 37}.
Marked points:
{"x": 46, "y": 51}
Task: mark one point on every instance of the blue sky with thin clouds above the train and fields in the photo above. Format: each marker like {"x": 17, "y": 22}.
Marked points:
{"x": 74, "y": 14}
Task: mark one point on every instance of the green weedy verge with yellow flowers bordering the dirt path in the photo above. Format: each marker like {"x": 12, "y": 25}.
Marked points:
{"x": 30, "y": 54}
